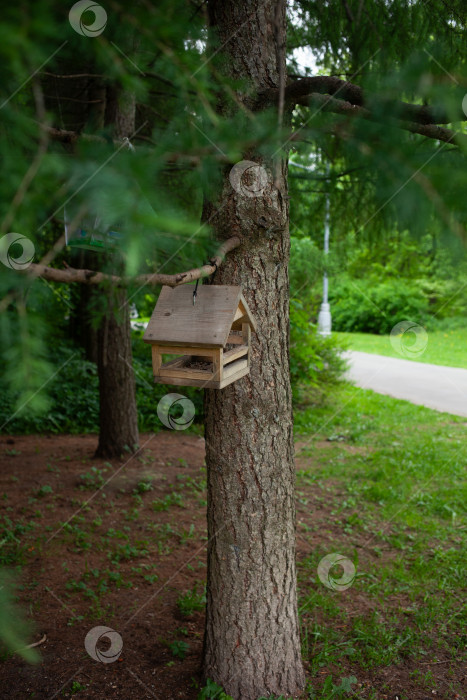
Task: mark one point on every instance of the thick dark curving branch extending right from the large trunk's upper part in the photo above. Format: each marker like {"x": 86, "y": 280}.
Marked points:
{"x": 330, "y": 85}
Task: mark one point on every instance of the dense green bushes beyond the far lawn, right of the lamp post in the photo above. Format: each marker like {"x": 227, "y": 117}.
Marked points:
{"x": 398, "y": 278}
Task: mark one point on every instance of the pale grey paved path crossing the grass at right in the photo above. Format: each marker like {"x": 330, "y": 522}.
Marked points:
{"x": 433, "y": 386}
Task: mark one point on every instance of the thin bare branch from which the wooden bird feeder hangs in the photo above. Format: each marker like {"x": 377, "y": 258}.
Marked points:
{"x": 71, "y": 274}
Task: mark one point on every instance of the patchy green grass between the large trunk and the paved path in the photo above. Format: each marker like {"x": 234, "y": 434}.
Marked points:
{"x": 382, "y": 482}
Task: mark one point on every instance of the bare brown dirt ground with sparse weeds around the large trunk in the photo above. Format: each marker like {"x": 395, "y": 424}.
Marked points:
{"x": 120, "y": 554}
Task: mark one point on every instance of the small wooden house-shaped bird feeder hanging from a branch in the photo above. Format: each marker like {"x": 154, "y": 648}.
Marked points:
{"x": 212, "y": 336}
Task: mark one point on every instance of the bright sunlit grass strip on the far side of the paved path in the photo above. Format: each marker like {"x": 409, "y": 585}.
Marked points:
{"x": 447, "y": 348}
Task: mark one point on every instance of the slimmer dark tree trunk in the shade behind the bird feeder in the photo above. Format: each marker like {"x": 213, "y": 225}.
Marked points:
{"x": 118, "y": 423}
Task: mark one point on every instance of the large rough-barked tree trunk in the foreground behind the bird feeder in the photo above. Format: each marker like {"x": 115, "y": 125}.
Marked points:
{"x": 252, "y": 645}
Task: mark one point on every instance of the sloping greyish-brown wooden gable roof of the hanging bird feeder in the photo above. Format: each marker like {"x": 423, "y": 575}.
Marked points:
{"x": 176, "y": 321}
